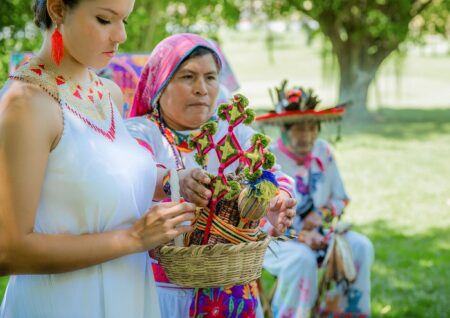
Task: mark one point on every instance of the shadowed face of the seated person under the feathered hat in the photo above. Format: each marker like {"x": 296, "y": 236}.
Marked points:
{"x": 302, "y": 136}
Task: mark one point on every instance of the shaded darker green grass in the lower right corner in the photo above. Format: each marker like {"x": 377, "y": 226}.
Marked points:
{"x": 410, "y": 275}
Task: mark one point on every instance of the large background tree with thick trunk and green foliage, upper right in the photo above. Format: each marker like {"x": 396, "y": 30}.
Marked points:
{"x": 364, "y": 33}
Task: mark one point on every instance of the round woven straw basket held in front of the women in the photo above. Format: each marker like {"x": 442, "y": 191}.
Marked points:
{"x": 220, "y": 265}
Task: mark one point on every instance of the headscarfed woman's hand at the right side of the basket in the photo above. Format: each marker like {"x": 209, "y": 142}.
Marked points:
{"x": 281, "y": 211}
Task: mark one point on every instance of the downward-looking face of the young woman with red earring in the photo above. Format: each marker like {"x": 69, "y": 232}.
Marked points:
{"x": 93, "y": 30}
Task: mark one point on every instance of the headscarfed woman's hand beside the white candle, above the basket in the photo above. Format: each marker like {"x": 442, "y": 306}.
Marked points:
{"x": 193, "y": 186}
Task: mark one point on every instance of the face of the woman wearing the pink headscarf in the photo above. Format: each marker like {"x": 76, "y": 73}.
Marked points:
{"x": 189, "y": 99}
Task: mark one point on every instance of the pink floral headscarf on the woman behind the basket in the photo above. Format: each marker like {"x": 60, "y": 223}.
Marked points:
{"x": 161, "y": 66}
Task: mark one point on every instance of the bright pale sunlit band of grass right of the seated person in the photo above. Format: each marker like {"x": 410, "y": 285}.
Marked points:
{"x": 403, "y": 181}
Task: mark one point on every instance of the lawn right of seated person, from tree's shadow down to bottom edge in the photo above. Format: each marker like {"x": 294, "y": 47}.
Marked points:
{"x": 396, "y": 171}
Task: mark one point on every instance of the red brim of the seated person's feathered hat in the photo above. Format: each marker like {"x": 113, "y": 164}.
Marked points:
{"x": 295, "y": 116}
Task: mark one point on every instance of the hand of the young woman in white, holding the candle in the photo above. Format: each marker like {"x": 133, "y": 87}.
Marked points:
{"x": 161, "y": 224}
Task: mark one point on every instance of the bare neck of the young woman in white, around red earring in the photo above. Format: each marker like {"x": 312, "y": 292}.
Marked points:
{"x": 69, "y": 67}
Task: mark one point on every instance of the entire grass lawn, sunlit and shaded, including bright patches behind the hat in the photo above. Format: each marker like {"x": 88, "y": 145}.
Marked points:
{"x": 396, "y": 168}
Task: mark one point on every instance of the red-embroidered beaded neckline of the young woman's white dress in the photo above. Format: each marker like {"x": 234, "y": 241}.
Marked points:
{"x": 90, "y": 102}
